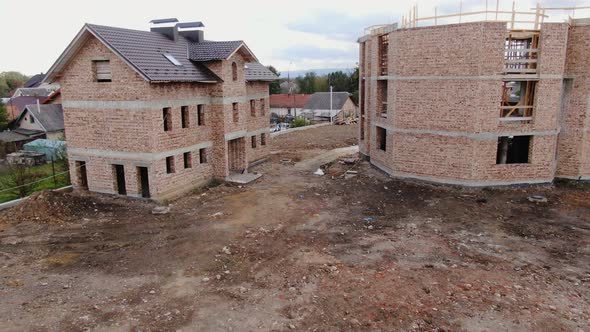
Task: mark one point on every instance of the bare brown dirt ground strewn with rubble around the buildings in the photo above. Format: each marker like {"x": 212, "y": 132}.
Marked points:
{"x": 296, "y": 251}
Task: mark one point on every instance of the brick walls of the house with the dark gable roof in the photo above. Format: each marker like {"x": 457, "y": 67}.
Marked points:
{"x": 121, "y": 122}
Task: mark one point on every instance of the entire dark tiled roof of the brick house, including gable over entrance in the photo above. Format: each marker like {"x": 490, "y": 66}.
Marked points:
{"x": 144, "y": 51}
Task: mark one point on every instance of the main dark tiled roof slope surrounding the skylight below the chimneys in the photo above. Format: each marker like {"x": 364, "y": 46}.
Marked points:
{"x": 145, "y": 51}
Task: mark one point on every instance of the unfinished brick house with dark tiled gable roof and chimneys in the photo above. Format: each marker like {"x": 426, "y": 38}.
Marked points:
{"x": 157, "y": 113}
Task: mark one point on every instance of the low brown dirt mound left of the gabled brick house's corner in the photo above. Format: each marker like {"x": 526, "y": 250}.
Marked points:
{"x": 51, "y": 207}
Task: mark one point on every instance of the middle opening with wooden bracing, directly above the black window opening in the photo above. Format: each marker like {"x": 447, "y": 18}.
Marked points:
{"x": 518, "y": 99}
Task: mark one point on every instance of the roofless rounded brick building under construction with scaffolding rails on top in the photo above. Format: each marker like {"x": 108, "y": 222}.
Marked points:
{"x": 477, "y": 103}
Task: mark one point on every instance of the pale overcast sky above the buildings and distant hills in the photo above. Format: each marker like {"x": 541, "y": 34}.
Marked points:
{"x": 296, "y": 35}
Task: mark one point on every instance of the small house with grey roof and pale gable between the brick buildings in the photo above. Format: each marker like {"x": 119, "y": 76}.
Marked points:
{"x": 329, "y": 106}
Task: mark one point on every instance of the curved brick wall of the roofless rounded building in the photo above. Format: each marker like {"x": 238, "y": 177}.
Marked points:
{"x": 444, "y": 96}
